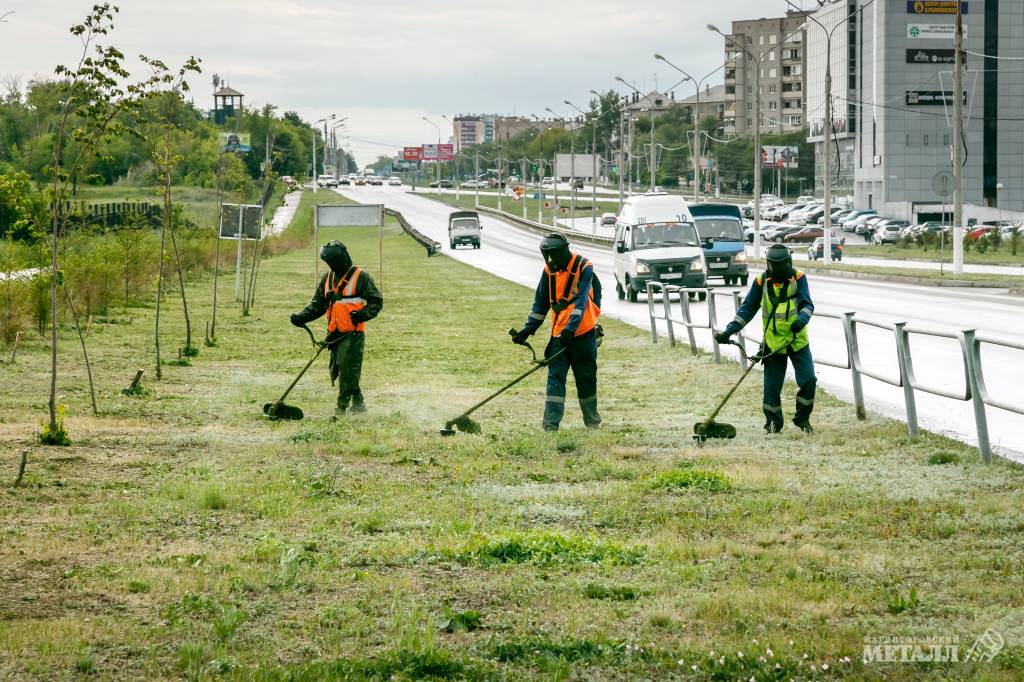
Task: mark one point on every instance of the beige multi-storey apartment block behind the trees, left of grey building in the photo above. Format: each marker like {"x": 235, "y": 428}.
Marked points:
{"x": 770, "y": 52}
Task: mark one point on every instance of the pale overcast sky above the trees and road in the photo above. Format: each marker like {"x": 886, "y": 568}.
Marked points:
{"x": 386, "y": 64}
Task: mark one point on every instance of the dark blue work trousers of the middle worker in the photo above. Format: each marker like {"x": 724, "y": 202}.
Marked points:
{"x": 582, "y": 358}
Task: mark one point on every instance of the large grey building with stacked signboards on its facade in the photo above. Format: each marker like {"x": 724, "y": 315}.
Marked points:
{"x": 893, "y": 100}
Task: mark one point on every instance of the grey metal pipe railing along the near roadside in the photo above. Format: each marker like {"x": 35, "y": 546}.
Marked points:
{"x": 970, "y": 344}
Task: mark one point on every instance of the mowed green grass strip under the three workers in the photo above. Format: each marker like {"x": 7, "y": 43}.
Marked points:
{"x": 183, "y": 535}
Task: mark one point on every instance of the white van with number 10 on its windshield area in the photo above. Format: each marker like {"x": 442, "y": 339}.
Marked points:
{"x": 656, "y": 239}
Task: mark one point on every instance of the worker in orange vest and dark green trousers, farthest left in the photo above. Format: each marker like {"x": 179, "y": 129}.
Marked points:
{"x": 350, "y": 299}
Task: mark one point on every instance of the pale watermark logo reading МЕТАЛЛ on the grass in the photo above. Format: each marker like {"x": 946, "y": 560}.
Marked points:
{"x": 886, "y": 650}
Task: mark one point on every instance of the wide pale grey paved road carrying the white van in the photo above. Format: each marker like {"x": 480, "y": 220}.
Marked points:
{"x": 513, "y": 253}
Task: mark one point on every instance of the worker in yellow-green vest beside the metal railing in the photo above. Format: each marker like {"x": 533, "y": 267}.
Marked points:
{"x": 785, "y": 300}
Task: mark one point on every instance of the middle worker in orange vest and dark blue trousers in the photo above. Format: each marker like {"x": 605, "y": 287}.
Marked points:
{"x": 571, "y": 290}
